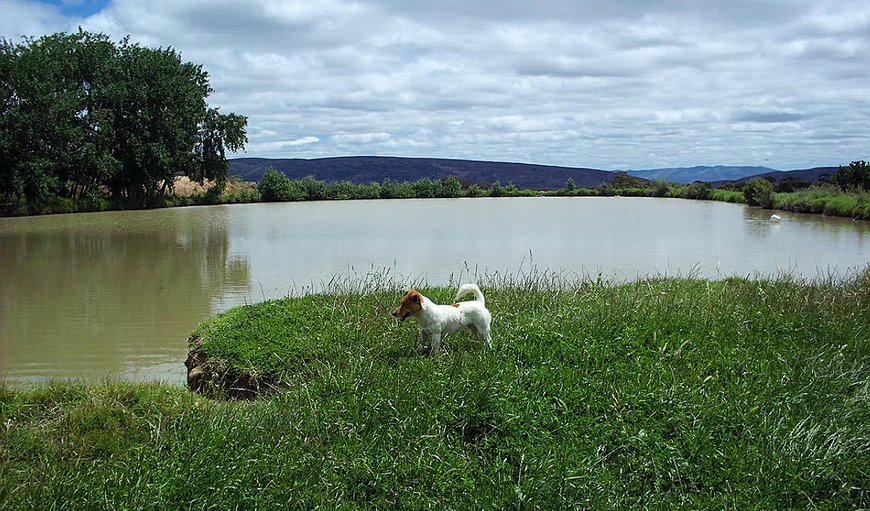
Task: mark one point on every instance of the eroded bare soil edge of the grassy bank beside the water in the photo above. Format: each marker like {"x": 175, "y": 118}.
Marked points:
{"x": 214, "y": 379}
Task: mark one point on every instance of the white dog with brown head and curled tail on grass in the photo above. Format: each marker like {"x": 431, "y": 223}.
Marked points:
{"x": 439, "y": 321}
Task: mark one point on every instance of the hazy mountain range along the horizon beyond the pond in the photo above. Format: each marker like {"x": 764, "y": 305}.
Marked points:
{"x": 367, "y": 169}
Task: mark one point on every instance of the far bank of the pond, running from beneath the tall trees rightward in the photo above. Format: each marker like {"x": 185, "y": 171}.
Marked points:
{"x": 820, "y": 198}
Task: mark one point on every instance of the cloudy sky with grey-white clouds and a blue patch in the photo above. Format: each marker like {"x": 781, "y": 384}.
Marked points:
{"x": 622, "y": 84}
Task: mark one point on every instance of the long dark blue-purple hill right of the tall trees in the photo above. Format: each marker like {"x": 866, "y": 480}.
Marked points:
{"x": 367, "y": 169}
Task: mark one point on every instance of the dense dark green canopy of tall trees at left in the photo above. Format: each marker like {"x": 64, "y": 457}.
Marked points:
{"x": 79, "y": 112}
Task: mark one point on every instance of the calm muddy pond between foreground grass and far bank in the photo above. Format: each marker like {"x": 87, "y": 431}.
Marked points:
{"x": 116, "y": 294}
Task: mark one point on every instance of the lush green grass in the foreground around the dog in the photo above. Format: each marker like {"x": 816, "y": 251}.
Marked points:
{"x": 666, "y": 393}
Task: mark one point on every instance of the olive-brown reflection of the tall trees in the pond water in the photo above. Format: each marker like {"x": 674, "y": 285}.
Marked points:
{"x": 109, "y": 293}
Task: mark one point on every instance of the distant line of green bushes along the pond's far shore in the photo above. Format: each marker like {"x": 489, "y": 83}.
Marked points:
{"x": 846, "y": 195}
